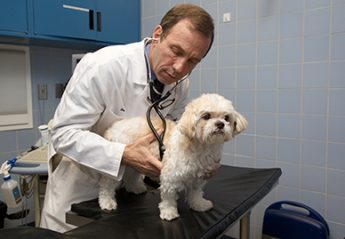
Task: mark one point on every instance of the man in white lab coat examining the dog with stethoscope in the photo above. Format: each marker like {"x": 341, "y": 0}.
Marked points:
{"x": 111, "y": 84}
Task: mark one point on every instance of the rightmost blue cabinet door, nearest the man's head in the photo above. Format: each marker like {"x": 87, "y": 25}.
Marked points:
{"x": 118, "y": 21}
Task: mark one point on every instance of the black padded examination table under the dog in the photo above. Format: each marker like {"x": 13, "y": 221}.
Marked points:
{"x": 234, "y": 191}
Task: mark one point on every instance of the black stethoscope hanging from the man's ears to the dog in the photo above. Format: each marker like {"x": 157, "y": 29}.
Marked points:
{"x": 159, "y": 104}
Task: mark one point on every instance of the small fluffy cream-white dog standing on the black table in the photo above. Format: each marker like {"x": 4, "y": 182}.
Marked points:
{"x": 193, "y": 149}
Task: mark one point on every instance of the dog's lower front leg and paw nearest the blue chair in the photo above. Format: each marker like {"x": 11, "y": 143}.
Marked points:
{"x": 196, "y": 200}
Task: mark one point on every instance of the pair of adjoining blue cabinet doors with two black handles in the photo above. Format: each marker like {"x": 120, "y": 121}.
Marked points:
{"x": 114, "y": 21}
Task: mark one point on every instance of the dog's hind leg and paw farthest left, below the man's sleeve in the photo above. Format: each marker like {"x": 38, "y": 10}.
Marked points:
{"x": 106, "y": 195}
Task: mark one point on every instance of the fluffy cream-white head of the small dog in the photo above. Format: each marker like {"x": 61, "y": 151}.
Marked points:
{"x": 211, "y": 119}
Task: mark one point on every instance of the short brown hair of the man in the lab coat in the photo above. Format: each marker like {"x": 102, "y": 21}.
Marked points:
{"x": 200, "y": 19}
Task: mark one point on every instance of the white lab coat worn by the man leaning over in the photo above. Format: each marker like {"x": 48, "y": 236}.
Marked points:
{"x": 106, "y": 86}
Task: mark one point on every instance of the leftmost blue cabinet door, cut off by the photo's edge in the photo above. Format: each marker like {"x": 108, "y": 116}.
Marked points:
{"x": 13, "y": 17}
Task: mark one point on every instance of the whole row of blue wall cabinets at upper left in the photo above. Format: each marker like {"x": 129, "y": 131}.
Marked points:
{"x": 92, "y": 21}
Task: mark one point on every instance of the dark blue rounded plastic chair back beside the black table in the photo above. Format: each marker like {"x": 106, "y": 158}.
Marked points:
{"x": 293, "y": 220}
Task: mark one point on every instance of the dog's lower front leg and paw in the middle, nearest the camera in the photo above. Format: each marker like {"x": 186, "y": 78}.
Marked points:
{"x": 168, "y": 205}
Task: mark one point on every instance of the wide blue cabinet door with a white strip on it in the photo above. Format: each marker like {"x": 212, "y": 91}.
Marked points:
{"x": 65, "y": 18}
